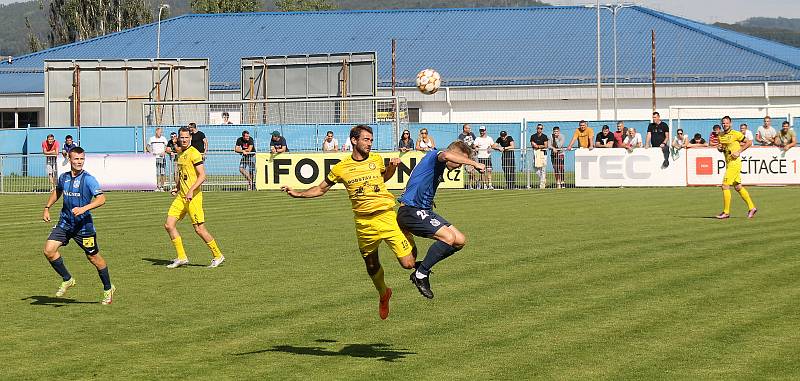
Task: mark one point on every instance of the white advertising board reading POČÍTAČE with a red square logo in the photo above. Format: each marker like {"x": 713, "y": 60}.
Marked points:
{"x": 760, "y": 166}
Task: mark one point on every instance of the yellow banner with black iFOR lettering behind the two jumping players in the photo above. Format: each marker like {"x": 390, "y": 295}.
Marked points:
{"x": 305, "y": 170}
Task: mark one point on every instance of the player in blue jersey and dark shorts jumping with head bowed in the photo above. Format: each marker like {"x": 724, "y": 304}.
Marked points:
{"x": 416, "y": 215}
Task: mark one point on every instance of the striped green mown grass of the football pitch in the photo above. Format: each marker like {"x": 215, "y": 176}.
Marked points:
{"x": 570, "y": 284}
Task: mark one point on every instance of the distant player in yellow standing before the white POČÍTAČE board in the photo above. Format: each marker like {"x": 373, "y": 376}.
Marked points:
{"x": 732, "y": 143}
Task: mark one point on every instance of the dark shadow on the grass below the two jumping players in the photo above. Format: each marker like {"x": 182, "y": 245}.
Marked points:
{"x": 379, "y": 351}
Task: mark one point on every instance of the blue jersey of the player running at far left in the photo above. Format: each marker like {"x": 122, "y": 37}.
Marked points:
{"x": 77, "y": 191}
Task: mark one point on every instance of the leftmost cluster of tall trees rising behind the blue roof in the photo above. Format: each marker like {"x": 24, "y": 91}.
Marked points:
{"x": 77, "y": 20}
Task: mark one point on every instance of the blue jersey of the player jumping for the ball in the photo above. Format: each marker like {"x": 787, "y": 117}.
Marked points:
{"x": 424, "y": 181}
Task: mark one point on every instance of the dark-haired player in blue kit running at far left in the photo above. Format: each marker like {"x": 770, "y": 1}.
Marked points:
{"x": 81, "y": 193}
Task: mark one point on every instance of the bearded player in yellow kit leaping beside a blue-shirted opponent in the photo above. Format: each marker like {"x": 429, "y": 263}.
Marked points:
{"x": 363, "y": 175}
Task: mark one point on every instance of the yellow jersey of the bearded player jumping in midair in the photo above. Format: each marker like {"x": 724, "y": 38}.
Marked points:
{"x": 364, "y": 183}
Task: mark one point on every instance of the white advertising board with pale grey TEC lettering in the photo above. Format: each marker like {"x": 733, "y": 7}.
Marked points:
{"x": 616, "y": 167}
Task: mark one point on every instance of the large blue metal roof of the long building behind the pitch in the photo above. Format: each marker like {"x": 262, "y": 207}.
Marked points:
{"x": 469, "y": 47}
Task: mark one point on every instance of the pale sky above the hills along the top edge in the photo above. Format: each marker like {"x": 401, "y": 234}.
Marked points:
{"x": 708, "y": 11}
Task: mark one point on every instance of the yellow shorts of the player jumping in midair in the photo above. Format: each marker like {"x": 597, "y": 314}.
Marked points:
{"x": 381, "y": 226}
